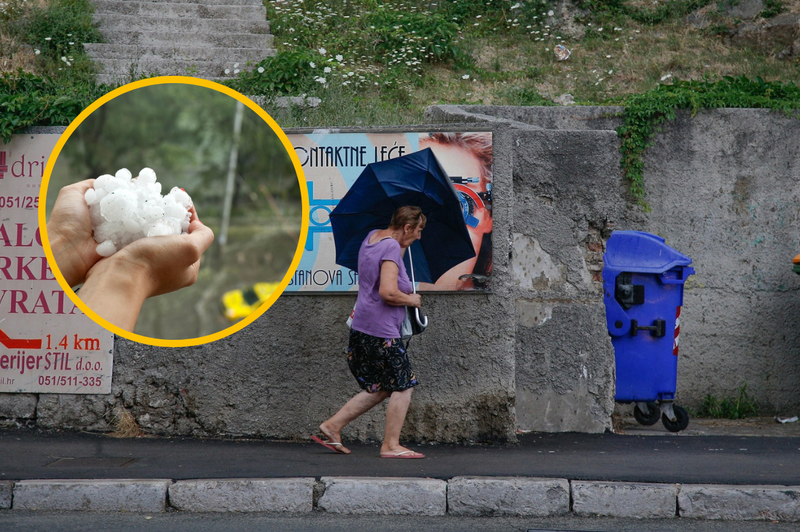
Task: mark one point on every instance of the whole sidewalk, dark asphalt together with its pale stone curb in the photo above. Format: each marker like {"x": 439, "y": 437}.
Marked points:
{"x": 712, "y": 471}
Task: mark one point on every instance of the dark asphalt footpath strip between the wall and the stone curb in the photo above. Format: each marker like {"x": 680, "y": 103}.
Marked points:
{"x": 670, "y": 458}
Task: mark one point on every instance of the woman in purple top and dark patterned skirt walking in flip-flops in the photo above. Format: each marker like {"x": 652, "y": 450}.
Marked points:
{"x": 376, "y": 354}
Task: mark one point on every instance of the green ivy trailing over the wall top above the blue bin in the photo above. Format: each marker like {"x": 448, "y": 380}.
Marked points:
{"x": 644, "y": 113}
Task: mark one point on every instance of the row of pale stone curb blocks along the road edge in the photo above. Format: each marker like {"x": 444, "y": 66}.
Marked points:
{"x": 462, "y": 496}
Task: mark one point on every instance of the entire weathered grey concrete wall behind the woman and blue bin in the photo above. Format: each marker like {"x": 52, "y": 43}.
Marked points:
{"x": 724, "y": 188}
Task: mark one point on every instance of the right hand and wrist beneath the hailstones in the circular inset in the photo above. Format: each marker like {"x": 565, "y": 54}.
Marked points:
{"x": 117, "y": 286}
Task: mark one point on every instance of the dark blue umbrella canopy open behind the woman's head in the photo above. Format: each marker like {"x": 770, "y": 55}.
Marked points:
{"x": 416, "y": 179}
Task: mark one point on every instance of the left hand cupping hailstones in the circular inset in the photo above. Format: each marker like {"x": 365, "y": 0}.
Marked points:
{"x": 69, "y": 231}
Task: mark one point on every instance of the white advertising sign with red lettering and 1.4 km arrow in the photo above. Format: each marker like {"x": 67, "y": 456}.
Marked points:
{"x": 47, "y": 345}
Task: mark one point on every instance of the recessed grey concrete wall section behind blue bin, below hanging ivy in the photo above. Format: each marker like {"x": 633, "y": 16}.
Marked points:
{"x": 725, "y": 190}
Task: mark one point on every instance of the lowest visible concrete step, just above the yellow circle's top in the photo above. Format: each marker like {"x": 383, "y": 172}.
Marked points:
{"x": 170, "y": 67}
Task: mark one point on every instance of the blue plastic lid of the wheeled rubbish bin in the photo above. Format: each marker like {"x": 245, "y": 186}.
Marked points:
{"x": 637, "y": 251}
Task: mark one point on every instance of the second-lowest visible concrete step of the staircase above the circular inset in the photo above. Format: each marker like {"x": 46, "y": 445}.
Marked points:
{"x": 104, "y": 52}
